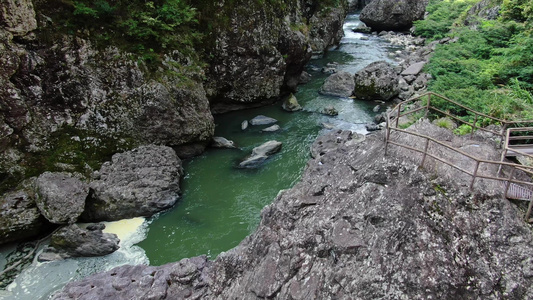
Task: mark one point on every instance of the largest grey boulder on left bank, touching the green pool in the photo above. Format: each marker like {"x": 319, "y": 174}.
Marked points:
{"x": 140, "y": 182}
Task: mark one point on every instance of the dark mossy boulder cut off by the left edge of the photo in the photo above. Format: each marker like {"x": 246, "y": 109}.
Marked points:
{"x": 19, "y": 217}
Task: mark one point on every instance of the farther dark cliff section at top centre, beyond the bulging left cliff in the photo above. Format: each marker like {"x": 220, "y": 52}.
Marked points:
{"x": 263, "y": 50}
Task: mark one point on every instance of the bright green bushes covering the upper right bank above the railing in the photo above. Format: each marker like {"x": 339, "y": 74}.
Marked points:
{"x": 490, "y": 66}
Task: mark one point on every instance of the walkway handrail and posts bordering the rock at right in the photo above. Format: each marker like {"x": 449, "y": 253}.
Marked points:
{"x": 392, "y": 122}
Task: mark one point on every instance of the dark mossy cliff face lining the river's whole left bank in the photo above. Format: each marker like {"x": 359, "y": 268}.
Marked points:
{"x": 63, "y": 90}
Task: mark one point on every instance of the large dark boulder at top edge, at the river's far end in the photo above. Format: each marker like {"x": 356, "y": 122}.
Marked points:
{"x": 394, "y": 15}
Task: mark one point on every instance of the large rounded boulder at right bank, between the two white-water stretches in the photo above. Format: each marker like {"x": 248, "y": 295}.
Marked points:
{"x": 378, "y": 80}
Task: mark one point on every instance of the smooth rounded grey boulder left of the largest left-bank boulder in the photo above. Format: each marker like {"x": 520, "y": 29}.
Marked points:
{"x": 60, "y": 197}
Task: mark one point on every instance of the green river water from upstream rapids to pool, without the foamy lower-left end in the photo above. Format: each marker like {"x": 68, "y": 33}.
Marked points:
{"x": 221, "y": 203}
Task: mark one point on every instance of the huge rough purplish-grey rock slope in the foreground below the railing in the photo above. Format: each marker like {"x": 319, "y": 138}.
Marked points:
{"x": 358, "y": 225}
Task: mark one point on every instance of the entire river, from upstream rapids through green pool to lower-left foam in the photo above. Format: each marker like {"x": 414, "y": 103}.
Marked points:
{"x": 221, "y": 204}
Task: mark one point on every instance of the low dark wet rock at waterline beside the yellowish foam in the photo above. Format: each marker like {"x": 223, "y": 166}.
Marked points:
{"x": 73, "y": 241}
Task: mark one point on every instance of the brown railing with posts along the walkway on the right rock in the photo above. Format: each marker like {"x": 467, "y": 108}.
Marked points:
{"x": 510, "y": 183}
